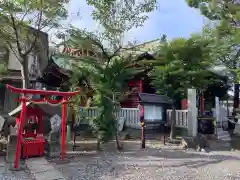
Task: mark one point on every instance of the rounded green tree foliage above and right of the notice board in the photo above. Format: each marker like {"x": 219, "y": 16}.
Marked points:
{"x": 181, "y": 64}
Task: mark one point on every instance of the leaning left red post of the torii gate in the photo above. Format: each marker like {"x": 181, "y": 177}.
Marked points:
{"x": 19, "y": 134}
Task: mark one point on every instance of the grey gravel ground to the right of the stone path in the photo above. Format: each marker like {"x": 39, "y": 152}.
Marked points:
{"x": 154, "y": 163}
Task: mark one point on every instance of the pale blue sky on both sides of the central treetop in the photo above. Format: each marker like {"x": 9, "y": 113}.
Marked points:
{"x": 173, "y": 18}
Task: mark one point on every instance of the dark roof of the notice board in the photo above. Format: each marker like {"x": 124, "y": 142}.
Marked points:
{"x": 154, "y": 99}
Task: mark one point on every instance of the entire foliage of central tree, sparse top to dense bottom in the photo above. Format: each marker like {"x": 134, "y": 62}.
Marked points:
{"x": 108, "y": 72}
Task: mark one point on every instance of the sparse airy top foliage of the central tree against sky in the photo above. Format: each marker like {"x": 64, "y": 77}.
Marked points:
{"x": 119, "y": 16}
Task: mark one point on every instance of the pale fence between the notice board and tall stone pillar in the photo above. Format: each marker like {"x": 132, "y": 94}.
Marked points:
{"x": 181, "y": 118}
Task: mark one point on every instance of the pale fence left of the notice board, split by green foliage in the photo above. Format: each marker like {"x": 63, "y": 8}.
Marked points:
{"x": 131, "y": 115}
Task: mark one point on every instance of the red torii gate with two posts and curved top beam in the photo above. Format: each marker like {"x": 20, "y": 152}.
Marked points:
{"x": 24, "y": 99}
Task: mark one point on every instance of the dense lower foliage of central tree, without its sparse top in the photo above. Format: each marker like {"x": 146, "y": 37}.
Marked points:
{"x": 107, "y": 77}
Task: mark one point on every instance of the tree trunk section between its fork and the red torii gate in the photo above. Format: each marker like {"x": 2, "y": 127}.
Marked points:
{"x": 25, "y": 73}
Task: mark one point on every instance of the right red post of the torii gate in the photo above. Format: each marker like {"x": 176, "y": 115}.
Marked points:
{"x": 64, "y": 114}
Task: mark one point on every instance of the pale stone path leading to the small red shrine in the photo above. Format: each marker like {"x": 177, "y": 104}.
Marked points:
{"x": 42, "y": 170}
